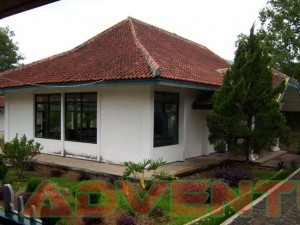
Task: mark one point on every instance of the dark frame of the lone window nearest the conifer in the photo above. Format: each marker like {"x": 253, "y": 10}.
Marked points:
{"x": 165, "y": 114}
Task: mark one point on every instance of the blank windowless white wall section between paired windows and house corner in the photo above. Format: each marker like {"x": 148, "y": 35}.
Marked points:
{"x": 125, "y": 124}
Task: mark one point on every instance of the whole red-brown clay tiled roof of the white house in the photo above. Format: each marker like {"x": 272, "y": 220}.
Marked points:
{"x": 130, "y": 49}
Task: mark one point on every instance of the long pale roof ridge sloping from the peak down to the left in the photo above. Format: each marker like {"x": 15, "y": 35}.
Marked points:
{"x": 62, "y": 53}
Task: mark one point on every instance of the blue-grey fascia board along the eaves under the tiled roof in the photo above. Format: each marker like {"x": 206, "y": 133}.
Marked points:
{"x": 133, "y": 82}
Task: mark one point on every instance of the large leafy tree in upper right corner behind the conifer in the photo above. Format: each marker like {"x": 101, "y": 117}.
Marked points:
{"x": 281, "y": 27}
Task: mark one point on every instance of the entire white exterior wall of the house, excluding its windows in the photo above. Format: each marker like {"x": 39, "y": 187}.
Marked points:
{"x": 125, "y": 122}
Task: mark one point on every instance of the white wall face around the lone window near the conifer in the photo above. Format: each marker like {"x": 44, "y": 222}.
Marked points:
{"x": 191, "y": 128}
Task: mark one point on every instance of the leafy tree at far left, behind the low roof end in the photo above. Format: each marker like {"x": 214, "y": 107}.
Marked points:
{"x": 9, "y": 51}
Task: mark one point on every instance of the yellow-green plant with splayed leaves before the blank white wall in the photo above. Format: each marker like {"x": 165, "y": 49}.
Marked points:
{"x": 138, "y": 169}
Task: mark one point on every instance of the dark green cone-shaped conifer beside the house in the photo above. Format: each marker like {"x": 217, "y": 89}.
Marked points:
{"x": 246, "y": 114}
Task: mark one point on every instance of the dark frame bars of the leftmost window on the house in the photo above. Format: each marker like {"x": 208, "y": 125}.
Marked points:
{"x": 48, "y": 113}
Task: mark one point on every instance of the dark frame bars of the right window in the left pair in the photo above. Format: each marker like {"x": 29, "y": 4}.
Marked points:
{"x": 82, "y": 111}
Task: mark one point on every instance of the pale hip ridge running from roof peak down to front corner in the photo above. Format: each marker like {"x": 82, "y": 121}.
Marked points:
{"x": 156, "y": 70}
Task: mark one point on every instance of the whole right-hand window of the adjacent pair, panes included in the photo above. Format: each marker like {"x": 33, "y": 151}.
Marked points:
{"x": 81, "y": 117}
